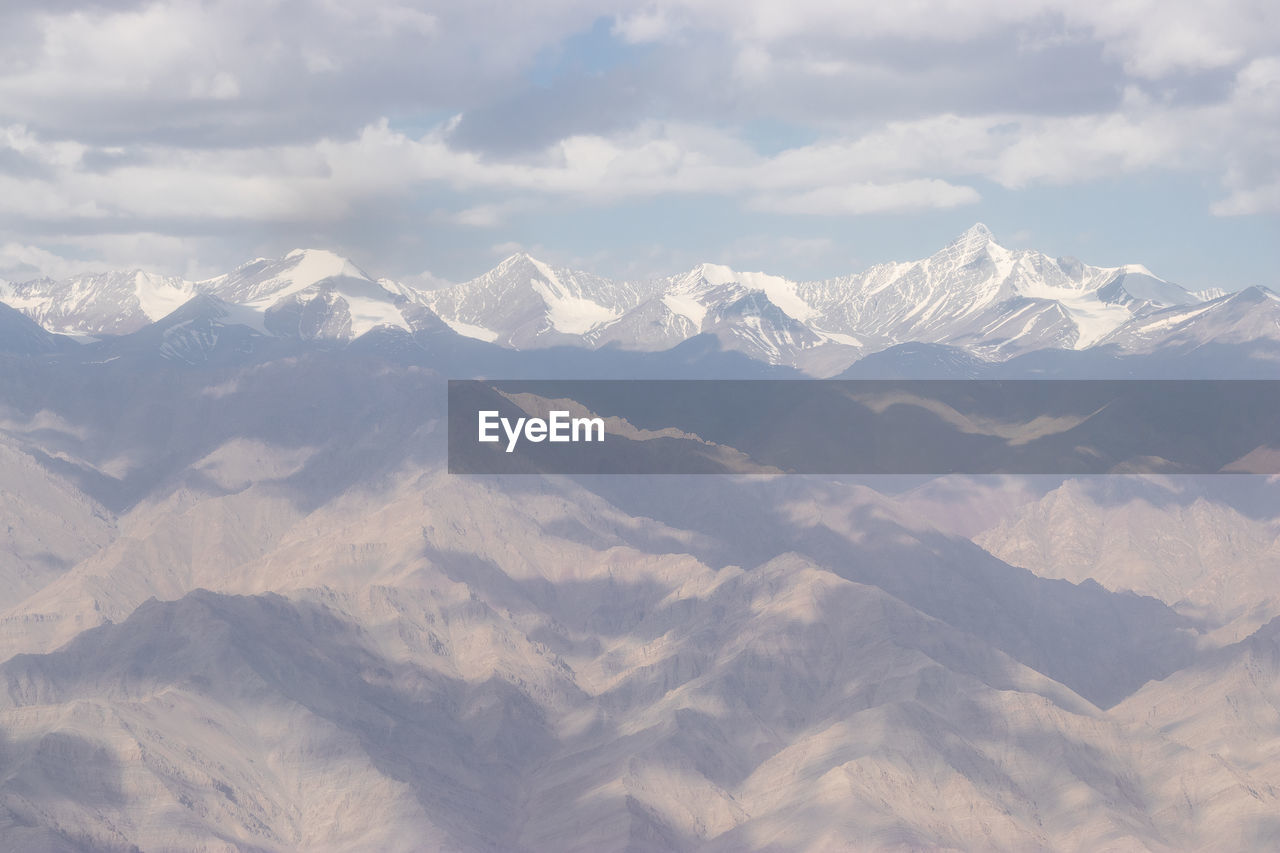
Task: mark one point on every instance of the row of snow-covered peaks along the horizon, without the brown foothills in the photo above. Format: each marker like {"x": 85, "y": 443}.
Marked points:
{"x": 975, "y": 298}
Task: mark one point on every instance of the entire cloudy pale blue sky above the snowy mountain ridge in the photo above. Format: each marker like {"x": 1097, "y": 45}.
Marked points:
{"x": 807, "y": 138}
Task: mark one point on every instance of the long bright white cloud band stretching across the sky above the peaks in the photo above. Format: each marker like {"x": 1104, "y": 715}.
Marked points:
{"x": 900, "y": 166}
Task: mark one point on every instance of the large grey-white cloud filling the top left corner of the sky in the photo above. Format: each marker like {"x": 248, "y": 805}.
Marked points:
{"x": 144, "y": 70}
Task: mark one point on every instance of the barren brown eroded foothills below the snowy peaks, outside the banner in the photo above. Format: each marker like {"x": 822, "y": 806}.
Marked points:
{"x": 294, "y": 630}
